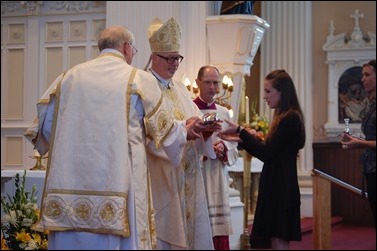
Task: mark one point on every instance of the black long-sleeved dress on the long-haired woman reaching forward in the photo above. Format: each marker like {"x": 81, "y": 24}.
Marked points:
{"x": 278, "y": 206}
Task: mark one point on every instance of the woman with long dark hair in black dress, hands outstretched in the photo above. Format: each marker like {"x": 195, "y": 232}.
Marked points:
{"x": 277, "y": 215}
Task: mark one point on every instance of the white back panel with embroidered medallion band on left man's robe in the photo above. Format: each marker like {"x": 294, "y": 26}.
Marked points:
{"x": 87, "y": 180}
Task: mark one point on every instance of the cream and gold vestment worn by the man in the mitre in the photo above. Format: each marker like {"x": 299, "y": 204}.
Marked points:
{"x": 178, "y": 191}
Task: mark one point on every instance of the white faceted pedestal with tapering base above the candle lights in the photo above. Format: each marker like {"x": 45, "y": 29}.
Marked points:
{"x": 233, "y": 53}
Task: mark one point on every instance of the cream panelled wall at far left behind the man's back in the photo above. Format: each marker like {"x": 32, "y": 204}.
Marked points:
{"x": 37, "y": 46}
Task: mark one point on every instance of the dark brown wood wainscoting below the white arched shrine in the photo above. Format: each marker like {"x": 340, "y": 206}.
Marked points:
{"x": 330, "y": 158}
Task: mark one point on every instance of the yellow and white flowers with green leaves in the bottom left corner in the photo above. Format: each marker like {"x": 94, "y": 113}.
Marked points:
{"x": 20, "y": 213}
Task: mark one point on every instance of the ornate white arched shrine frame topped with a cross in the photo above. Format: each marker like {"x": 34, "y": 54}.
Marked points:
{"x": 345, "y": 54}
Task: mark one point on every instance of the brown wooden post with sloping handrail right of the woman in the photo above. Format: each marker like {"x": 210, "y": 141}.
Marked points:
{"x": 322, "y": 207}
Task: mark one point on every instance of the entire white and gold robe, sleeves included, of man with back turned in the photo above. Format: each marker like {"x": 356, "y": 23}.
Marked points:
{"x": 94, "y": 194}
